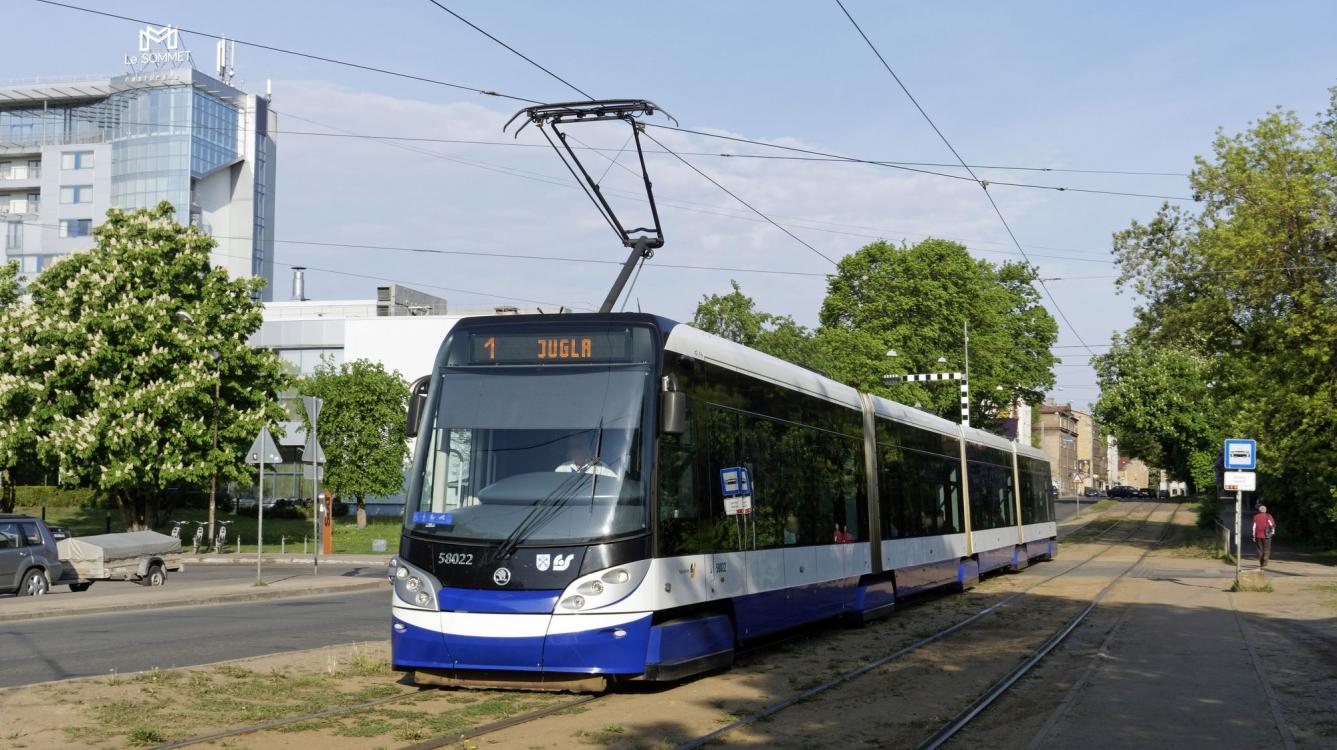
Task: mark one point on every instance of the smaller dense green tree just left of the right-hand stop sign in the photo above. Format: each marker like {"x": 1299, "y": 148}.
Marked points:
{"x": 1161, "y": 403}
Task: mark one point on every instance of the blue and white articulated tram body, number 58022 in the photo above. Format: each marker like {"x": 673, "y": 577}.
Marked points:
{"x": 618, "y": 497}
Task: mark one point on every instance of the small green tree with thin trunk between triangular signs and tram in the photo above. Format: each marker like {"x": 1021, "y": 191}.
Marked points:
{"x": 362, "y": 428}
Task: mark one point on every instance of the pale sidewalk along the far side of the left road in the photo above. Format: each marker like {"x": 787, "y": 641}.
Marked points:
{"x": 177, "y": 596}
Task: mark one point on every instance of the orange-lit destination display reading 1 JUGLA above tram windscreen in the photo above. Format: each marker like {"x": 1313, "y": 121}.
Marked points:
{"x": 546, "y": 347}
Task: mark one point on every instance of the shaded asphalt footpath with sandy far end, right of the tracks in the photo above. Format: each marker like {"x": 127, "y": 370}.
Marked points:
{"x": 1188, "y": 666}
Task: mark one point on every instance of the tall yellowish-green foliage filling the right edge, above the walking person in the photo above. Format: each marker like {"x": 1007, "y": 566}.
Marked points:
{"x": 1249, "y": 287}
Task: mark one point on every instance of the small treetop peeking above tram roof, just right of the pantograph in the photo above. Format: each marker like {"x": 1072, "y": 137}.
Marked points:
{"x": 735, "y": 316}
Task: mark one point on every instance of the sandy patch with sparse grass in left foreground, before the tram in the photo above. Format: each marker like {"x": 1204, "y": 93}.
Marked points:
{"x": 161, "y": 707}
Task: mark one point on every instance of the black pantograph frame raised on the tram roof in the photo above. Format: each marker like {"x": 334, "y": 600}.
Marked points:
{"x": 642, "y": 241}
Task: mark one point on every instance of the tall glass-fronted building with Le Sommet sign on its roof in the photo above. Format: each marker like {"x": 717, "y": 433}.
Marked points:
{"x": 73, "y": 149}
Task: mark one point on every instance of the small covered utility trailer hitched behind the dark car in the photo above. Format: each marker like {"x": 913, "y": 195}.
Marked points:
{"x": 142, "y": 557}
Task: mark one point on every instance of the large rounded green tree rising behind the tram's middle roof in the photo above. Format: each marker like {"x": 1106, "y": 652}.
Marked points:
{"x": 917, "y": 300}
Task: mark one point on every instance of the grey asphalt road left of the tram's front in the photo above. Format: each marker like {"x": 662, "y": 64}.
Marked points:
{"x": 82, "y": 646}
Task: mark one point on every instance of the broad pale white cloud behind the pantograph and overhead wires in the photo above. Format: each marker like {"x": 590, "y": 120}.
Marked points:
{"x": 461, "y": 197}
